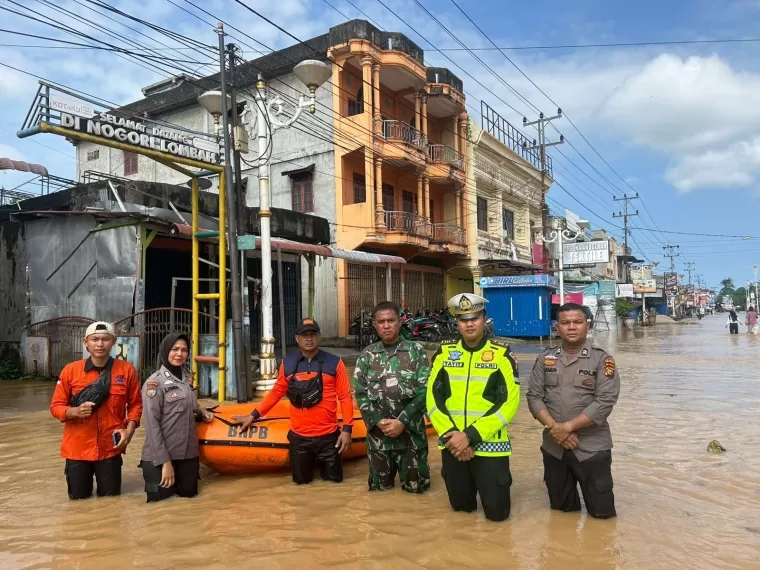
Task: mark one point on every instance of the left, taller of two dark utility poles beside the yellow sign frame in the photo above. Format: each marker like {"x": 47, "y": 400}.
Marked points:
{"x": 232, "y": 228}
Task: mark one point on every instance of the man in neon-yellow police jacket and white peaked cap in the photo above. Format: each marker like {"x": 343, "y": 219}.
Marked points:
{"x": 472, "y": 396}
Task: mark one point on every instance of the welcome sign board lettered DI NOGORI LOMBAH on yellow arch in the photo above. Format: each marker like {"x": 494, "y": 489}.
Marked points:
{"x": 110, "y": 127}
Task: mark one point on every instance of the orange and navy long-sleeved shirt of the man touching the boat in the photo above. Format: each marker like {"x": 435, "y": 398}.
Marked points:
{"x": 322, "y": 419}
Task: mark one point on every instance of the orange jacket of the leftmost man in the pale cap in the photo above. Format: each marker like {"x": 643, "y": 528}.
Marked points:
{"x": 90, "y": 439}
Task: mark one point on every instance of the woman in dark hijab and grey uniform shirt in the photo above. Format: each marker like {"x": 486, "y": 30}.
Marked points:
{"x": 170, "y": 460}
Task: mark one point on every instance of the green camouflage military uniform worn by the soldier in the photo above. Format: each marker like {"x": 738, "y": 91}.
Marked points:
{"x": 392, "y": 384}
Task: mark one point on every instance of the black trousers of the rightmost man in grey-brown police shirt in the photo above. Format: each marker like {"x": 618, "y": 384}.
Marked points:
{"x": 562, "y": 477}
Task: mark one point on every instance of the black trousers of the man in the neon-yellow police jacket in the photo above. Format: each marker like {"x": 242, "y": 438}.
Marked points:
{"x": 488, "y": 477}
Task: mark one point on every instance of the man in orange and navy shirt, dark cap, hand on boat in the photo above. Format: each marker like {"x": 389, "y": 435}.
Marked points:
{"x": 314, "y": 381}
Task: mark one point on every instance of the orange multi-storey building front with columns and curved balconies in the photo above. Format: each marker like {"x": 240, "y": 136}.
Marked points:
{"x": 400, "y": 173}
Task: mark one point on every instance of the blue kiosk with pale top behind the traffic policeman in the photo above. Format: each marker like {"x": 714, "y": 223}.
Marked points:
{"x": 520, "y": 304}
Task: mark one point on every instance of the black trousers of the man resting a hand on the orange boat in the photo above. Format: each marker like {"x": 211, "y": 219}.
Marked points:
{"x": 306, "y": 452}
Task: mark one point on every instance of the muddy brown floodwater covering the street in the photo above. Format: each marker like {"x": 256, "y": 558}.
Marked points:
{"x": 678, "y": 505}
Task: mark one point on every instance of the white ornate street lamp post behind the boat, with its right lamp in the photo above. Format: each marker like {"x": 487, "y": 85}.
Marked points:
{"x": 311, "y": 73}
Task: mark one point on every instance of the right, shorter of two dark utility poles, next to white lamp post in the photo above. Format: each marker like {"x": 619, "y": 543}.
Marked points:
{"x": 242, "y": 211}
